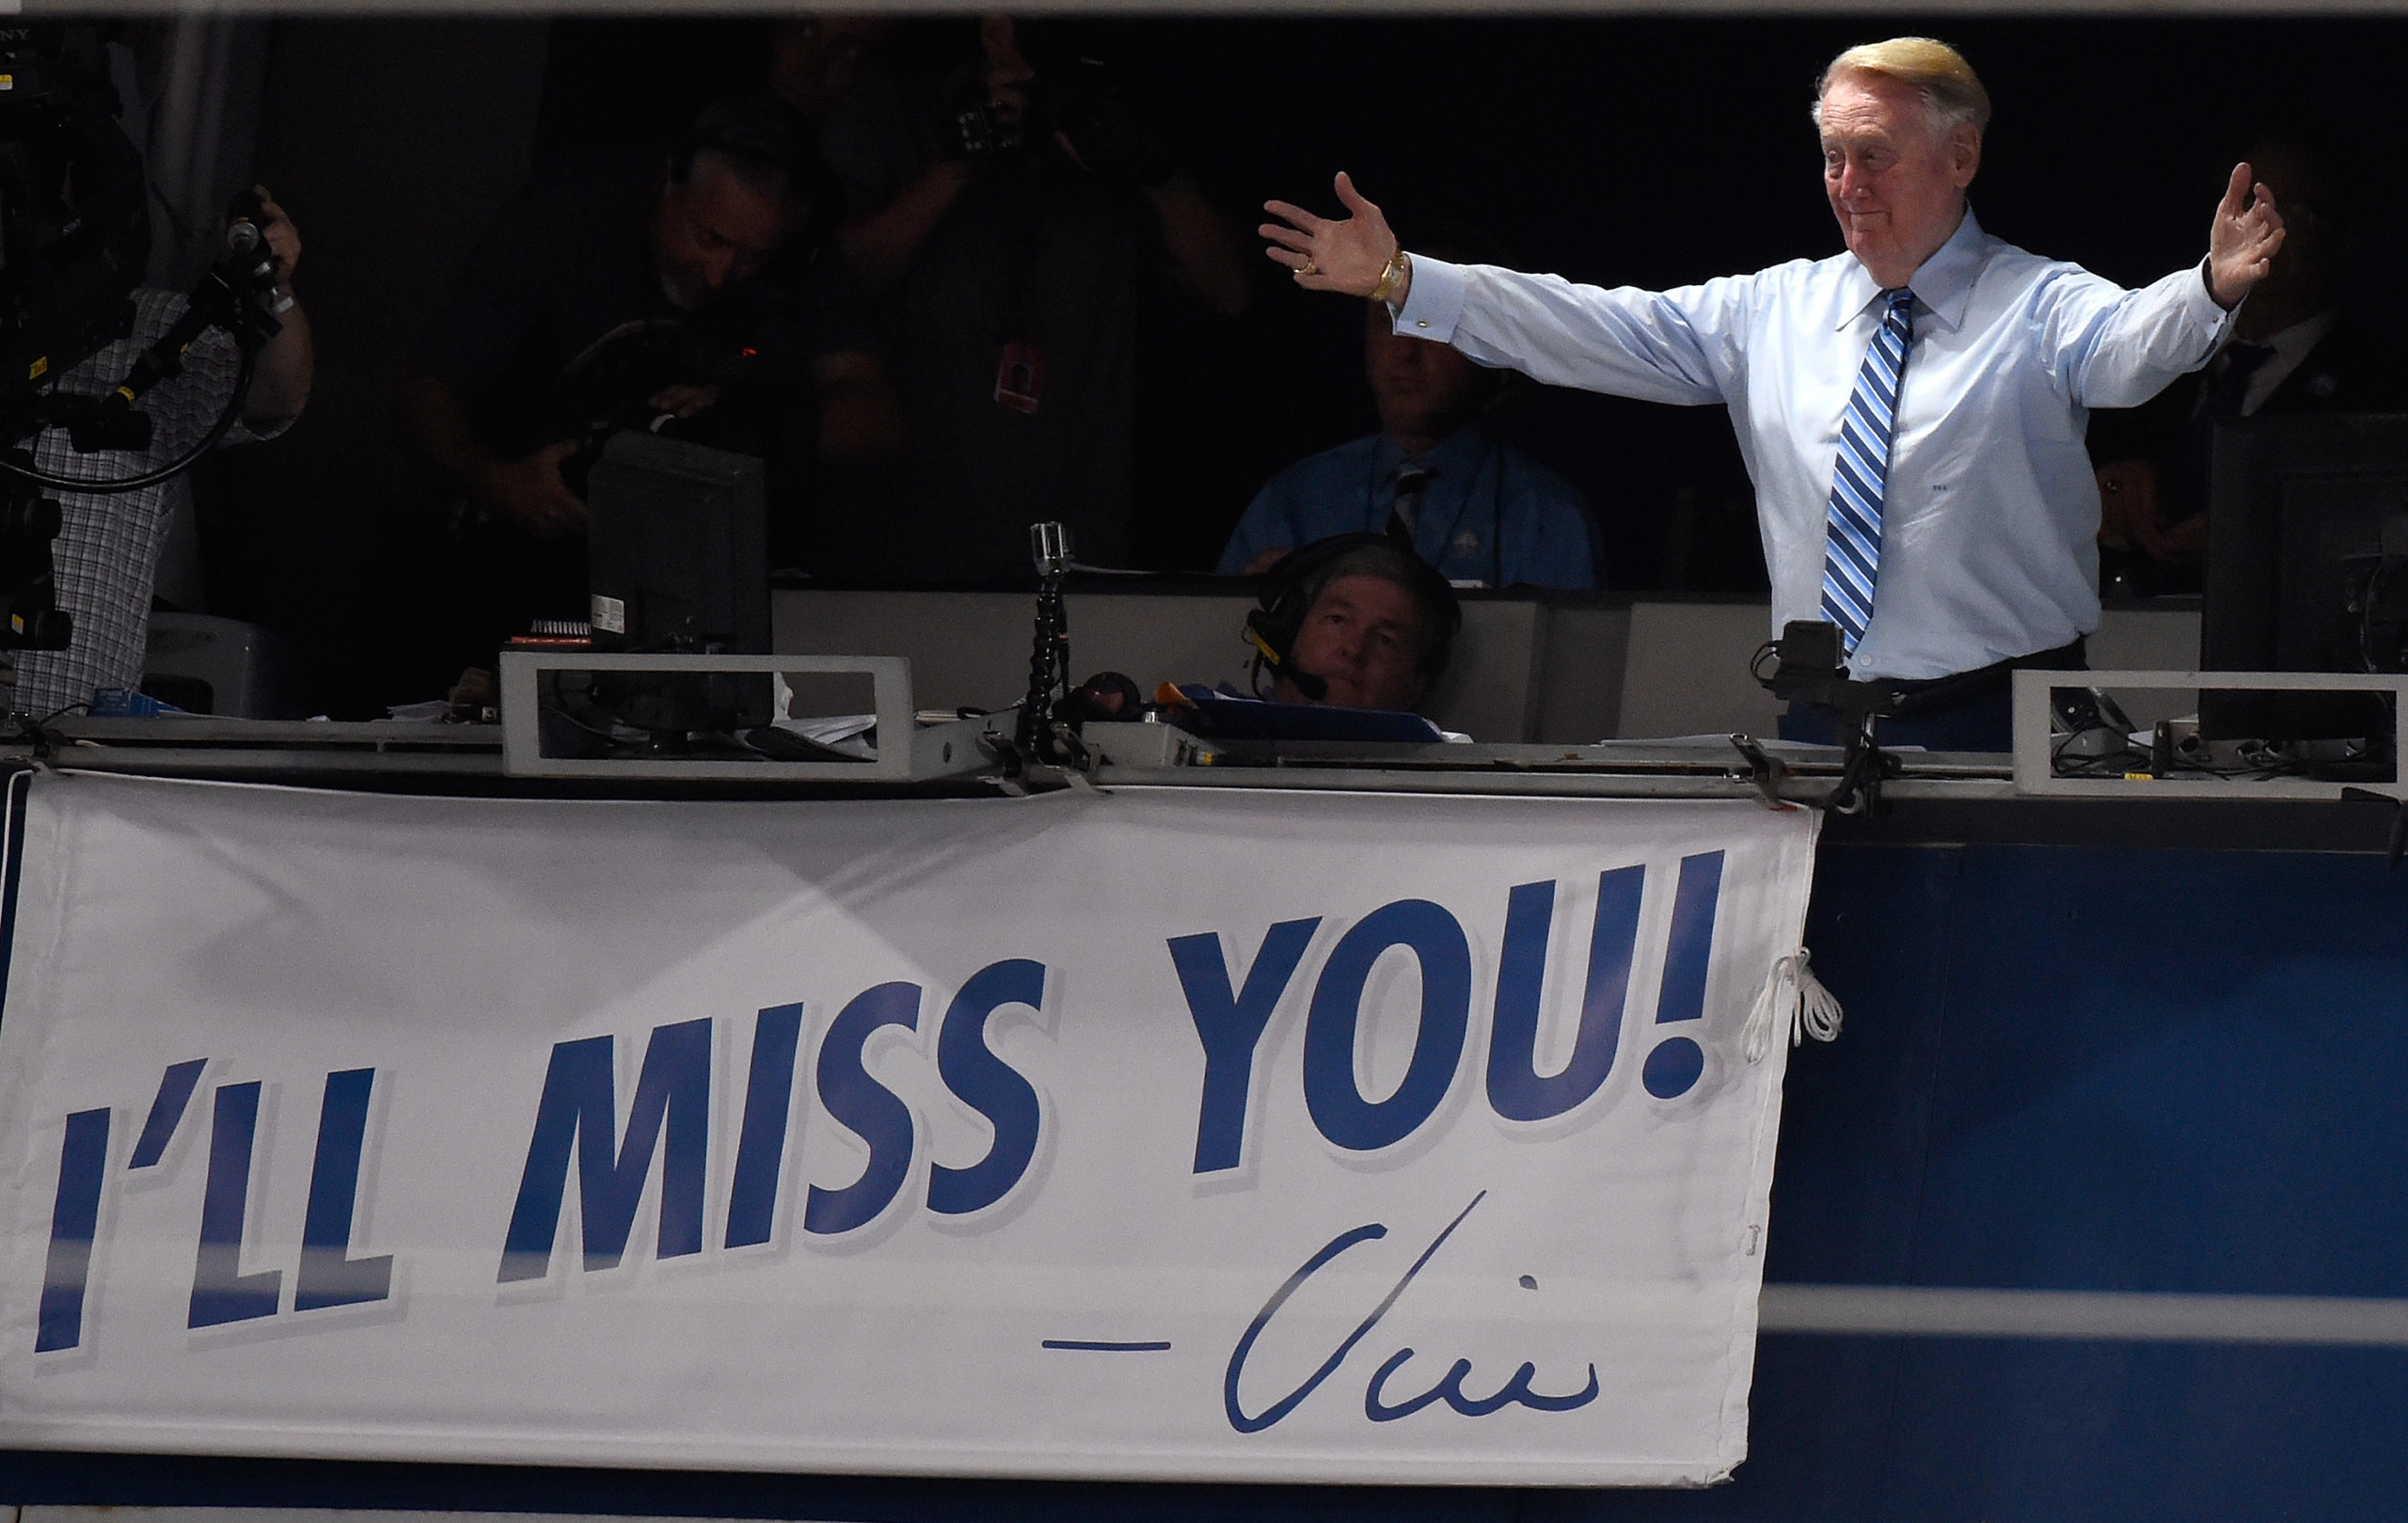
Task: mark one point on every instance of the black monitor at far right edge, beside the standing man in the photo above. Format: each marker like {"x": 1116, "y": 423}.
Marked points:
{"x": 2303, "y": 514}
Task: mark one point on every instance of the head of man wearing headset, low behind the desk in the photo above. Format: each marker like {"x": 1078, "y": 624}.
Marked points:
{"x": 1354, "y": 623}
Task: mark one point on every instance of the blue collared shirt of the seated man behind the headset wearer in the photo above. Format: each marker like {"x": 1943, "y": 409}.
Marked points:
{"x": 1489, "y": 512}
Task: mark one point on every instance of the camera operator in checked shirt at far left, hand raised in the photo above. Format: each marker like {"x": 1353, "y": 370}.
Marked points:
{"x": 107, "y": 551}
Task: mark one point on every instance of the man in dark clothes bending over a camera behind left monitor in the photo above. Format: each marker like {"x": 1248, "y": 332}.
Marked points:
{"x": 627, "y": 293}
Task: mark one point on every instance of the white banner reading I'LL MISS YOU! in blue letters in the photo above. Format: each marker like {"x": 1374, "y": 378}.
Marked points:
{"x": 1162, "y": 1134}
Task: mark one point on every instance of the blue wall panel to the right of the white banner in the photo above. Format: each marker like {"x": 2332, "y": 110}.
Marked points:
{"x": 2067, "y": 1069}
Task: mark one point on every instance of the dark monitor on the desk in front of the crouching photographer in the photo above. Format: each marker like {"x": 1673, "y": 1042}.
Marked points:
{"x": 678, "y": 548}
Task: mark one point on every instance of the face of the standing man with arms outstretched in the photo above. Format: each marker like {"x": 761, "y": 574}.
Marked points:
{"x": 1896, "y": 187}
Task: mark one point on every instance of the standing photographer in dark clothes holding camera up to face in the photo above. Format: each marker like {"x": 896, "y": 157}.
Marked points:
{"x": 1005, "y": 220}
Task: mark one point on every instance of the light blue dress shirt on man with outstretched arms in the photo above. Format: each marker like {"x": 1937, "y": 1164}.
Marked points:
{"x": 1990, "y": 514}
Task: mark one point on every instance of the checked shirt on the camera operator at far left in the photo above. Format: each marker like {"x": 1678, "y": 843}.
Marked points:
{"x": 107, "y": 551}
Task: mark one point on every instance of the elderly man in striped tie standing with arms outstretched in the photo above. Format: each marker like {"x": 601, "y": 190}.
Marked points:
{"x": 1911, "y": 411}
